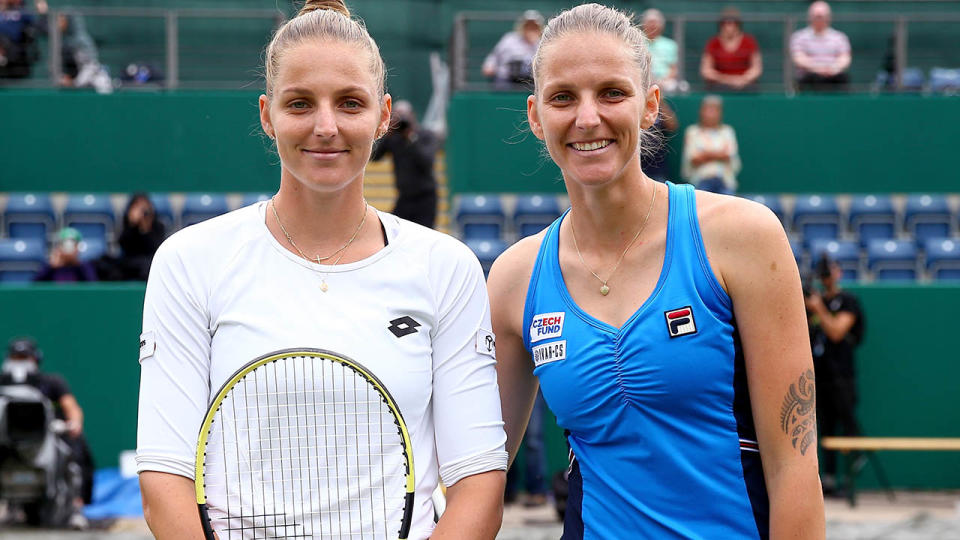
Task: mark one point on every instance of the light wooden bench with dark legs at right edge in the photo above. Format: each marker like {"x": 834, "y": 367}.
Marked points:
{"x": 846, "y": 445}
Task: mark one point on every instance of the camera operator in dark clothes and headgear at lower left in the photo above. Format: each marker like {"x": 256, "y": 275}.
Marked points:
{"x": 22, "y": 366}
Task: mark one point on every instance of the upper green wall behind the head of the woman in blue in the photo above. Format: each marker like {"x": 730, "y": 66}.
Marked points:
{"x": 801, "y": 144}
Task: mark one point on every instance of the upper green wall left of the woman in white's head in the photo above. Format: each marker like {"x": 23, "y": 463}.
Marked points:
{"x": 183, "y": 141}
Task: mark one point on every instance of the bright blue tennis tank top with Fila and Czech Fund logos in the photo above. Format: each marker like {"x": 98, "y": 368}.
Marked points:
{"x": 656, "y": 412}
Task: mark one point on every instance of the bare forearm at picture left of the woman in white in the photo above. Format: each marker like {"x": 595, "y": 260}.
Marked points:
{"x": 170, "y": 506}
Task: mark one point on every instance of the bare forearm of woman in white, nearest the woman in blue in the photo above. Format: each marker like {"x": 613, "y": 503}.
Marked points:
{"x": 474, "y": 508}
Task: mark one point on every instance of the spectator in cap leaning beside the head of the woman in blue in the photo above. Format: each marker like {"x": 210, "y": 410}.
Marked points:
{"x": 509, "y": 62}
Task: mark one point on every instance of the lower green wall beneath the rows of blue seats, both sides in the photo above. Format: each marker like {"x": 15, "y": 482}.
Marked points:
{"x": 908, "y": 367}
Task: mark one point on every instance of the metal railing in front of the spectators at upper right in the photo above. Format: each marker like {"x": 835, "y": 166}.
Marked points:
{"x": 465, "y": 58}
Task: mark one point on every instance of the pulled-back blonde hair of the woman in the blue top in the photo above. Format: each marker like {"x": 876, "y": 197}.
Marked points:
{"x": 602, "y": 20}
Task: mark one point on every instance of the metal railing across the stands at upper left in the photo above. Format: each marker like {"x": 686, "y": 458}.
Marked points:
{"x": 170, "y": 19}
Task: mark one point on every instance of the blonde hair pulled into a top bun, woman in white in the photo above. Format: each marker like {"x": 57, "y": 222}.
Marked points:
{"x": 322, "y": 19}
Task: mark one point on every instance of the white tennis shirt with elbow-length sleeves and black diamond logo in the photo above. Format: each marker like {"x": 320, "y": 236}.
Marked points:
{"x": 224, "y": 292}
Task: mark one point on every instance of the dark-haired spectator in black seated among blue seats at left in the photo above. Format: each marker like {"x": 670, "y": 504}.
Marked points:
{"x": 140, "y": 237}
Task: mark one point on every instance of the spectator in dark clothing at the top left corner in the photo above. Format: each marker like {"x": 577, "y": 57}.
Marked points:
{"x": 19, "y": 31}
